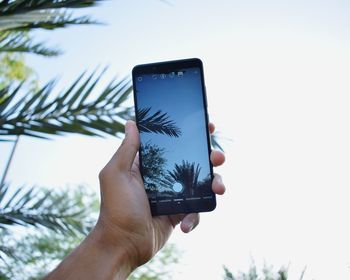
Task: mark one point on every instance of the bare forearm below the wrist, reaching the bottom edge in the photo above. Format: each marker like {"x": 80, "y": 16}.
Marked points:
{"x": 94, "y": 259}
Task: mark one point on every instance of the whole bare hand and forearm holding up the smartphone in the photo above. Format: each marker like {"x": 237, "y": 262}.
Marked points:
{"x": 126, "y": 235}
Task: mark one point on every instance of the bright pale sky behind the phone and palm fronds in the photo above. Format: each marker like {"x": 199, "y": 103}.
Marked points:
{"x": 277, "y": 75}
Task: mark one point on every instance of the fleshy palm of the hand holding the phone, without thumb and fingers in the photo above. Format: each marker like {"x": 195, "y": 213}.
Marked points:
{"x": 125, "y": 206}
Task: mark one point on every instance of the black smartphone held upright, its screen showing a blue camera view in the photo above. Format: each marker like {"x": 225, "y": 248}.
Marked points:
{"x": 171, "y": 115}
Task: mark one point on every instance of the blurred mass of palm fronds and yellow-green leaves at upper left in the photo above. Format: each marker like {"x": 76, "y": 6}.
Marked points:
{"x": 43, "y": 112}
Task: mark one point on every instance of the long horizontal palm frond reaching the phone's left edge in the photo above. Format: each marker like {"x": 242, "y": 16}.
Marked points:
{"x": 72, "y": 111}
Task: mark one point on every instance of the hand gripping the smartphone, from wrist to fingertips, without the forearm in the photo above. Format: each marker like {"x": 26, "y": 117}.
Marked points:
{"x": 125, "y": 217}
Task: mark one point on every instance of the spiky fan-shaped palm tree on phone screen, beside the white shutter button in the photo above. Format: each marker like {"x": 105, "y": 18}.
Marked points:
{"x": 187, "y": 175}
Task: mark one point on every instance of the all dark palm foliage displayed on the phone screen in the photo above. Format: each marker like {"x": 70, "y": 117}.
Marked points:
{"x": 160, "y": 179}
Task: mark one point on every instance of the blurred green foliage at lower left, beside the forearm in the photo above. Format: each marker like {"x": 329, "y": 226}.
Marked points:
{"x": 52, "y": 224}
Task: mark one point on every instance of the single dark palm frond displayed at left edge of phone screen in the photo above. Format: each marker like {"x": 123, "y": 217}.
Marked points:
{"x": 157, "y": 122}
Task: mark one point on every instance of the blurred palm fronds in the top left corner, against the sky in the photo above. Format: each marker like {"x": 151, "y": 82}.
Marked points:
{"x": 17, "y": 17}
